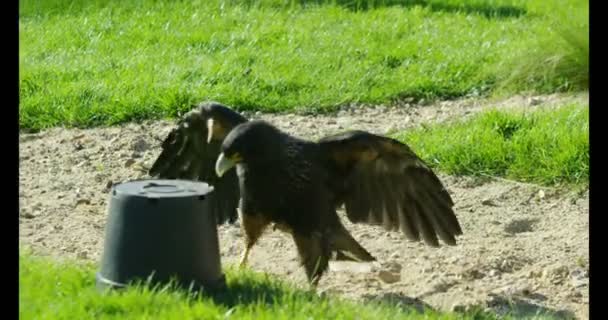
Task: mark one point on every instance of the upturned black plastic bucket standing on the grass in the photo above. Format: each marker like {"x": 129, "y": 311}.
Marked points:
{"x": 161, "y": 230}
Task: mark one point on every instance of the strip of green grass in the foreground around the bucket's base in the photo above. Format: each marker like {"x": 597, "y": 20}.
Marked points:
{"x": 51, "y": 289}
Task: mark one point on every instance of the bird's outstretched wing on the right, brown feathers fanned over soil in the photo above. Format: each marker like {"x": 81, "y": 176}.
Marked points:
{"x": 381, "y": 181}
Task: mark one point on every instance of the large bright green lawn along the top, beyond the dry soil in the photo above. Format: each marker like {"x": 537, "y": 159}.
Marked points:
{"x": 87, "y": 63}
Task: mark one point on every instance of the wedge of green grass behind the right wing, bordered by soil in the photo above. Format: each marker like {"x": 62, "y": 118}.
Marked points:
{"x": 544, "y": 147}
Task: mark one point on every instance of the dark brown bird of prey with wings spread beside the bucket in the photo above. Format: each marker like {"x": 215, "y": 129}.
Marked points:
{"x": 264, "y": 176}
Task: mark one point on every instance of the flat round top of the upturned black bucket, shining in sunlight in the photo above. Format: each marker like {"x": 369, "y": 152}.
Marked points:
{"x": 162, "y": 188}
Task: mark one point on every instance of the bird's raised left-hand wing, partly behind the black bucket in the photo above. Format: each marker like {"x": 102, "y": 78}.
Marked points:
{"x": 190, "y": 150}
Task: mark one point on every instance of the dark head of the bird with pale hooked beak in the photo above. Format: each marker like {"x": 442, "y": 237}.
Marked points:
{"x": 253, "y": 142}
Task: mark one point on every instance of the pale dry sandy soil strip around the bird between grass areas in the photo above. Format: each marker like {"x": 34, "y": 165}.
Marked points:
{"x": 523, "y": 245}
